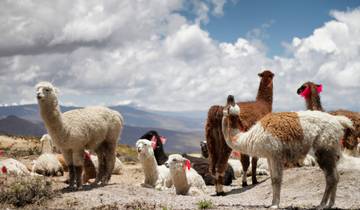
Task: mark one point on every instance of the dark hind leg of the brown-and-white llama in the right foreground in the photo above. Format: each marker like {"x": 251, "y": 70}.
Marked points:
{"x": 327, "y": 162}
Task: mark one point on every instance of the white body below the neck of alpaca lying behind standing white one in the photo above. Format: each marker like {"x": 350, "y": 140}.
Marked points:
{"x": 48, "y": 164}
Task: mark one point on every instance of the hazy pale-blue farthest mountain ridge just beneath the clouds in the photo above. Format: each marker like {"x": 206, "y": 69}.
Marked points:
{"x": 133, "y": 117}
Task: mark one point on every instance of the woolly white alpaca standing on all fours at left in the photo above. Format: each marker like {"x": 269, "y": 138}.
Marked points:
{"x": 93, "y": 128}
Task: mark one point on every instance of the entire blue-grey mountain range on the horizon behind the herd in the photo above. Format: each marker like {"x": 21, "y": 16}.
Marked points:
{"x": 184, "y": 130}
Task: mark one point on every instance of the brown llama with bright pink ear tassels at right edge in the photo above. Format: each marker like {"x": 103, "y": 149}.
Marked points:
{"x": 311, "y": 93}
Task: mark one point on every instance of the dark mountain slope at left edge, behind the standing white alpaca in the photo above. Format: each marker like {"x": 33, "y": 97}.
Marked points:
{"x": 15, "y": 125}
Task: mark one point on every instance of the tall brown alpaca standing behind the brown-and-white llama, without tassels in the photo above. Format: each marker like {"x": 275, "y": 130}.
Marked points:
{"x": 219, "y": 152}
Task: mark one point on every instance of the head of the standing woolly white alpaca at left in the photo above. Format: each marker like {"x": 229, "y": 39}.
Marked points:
{"x": 46, "y": 93}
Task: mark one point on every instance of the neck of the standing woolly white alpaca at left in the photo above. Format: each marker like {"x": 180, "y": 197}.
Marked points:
{"x": 52, "y": 117}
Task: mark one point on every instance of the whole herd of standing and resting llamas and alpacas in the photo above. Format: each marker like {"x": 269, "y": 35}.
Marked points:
{"x": 275, "y": 140}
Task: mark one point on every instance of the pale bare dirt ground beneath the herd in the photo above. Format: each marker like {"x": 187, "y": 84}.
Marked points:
{"x": 302, "y": 188}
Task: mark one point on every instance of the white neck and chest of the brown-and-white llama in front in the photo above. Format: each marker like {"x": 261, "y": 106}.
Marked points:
{"x": 236, "y": 140}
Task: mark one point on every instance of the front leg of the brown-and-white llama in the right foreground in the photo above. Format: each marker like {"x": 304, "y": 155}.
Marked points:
{"x": 276, "y": 171}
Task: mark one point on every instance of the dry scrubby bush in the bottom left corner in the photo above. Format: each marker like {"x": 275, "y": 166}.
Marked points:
{"x": 23, "y": 190}
